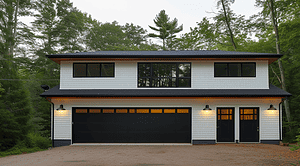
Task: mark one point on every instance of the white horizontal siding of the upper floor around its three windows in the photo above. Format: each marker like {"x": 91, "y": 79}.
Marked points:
{"x": 202, "y": 77}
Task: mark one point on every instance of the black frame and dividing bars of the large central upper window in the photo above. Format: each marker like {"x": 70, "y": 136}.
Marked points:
{"x": 151, "y": 72}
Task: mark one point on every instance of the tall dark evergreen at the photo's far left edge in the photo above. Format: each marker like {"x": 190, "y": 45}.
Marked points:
{"x": 14, "y": 101}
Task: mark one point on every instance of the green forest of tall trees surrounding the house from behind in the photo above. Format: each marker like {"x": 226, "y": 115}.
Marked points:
{"x": 59, "y": 27}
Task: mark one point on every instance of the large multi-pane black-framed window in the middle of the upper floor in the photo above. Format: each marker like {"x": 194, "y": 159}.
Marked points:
{"x": 162, "y": 74}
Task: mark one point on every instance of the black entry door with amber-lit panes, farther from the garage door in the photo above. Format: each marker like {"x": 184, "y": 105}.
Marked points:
{"x": 249, "y": 125}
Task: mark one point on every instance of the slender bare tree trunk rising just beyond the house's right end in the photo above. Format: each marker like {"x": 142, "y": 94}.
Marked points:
{"x": 270, "y": 4}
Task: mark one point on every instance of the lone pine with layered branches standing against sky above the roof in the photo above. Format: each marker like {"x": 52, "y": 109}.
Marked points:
{"x": 166, "y": 28}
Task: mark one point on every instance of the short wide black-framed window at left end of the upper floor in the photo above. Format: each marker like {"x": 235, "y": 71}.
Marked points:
{"x": 93, "y": 70}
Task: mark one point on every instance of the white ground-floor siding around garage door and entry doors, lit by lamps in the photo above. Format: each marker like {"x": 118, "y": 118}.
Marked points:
{"x": 203, "y": 124}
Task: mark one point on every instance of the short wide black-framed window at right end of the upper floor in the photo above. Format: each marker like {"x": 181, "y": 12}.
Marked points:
{"x": 235, "y": 69}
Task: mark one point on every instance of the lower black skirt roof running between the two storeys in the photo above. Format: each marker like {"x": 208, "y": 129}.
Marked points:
{"x": 272, "y": 92}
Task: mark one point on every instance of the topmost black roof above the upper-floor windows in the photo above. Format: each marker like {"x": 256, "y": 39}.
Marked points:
{"x": 166, "y": 54}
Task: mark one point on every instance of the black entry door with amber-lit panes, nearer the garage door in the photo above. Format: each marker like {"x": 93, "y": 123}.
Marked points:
{"x": 225, "y": 124}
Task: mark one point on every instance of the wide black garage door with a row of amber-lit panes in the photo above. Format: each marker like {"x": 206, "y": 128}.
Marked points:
{"x": 131, "y": 125}
